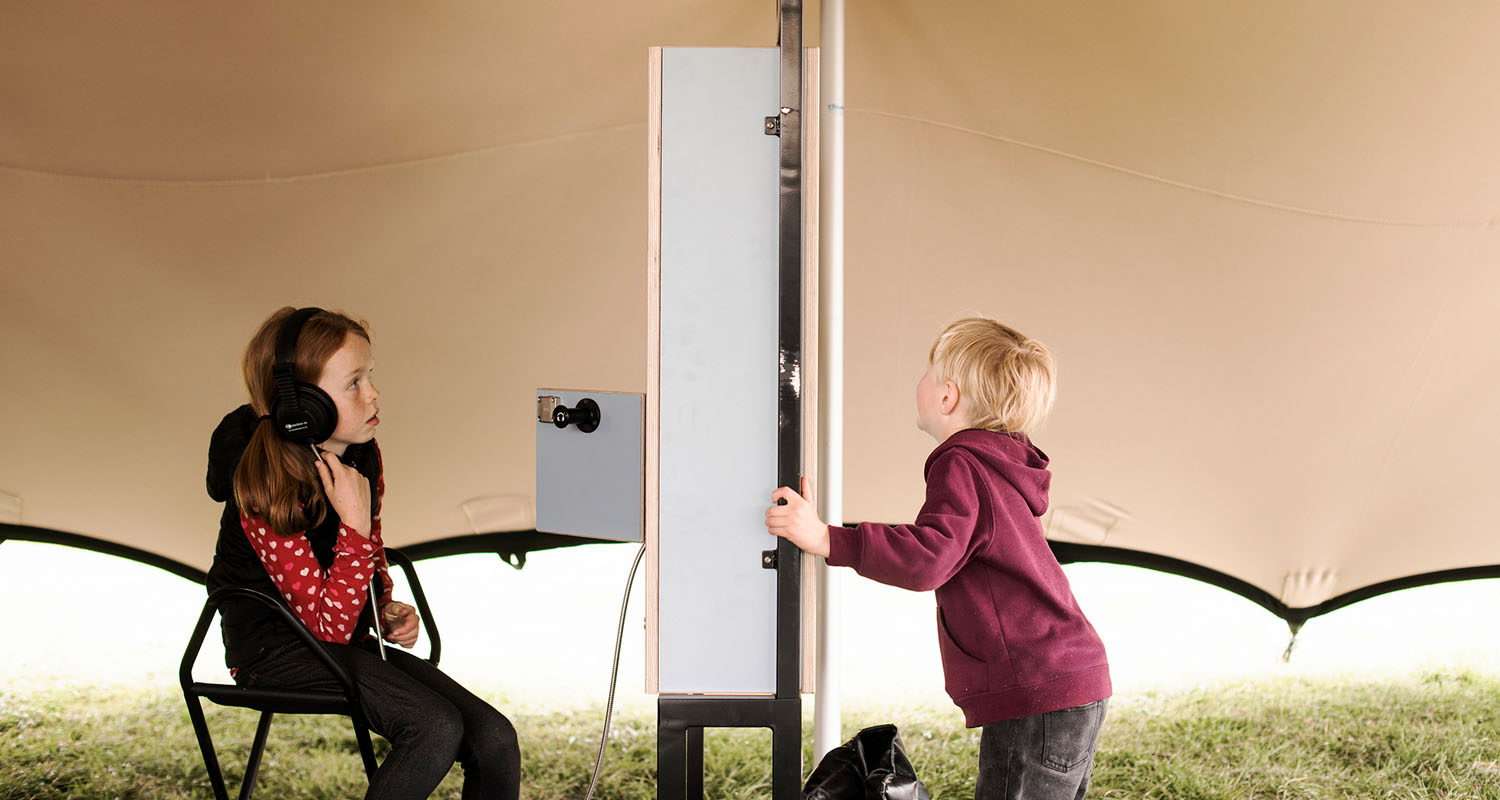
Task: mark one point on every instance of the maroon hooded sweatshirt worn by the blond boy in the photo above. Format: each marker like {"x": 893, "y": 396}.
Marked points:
{"x": 1012, "y": 636}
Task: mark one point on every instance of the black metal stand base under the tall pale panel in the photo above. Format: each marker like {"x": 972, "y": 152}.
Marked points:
{"x": 680, "y": 741}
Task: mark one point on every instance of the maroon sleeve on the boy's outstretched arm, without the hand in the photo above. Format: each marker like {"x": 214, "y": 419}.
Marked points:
{"x": 928, "y": 553}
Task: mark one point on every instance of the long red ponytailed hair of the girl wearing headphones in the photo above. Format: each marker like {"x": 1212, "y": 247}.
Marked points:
{"x": 275, "y": 480}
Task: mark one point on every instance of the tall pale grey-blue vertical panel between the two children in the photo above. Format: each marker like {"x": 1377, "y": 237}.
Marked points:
{"x": 718, "y": 370}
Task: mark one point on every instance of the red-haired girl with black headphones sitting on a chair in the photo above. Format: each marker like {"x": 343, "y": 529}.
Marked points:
{"x": 295, "y": 471}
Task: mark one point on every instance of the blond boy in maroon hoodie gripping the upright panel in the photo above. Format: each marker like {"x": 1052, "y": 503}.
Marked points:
{"x": 1019, "y": 657}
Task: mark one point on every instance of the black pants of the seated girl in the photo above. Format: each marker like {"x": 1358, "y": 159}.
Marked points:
{"x": 427, "y": 717}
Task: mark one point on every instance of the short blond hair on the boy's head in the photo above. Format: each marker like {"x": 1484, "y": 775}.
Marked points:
{"x": 1007, "y": 380}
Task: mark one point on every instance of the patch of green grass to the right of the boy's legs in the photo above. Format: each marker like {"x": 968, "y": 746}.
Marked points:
{"x": 1432, "y": 735}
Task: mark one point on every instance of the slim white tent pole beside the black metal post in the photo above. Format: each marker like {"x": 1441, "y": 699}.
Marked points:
{"x": 830, "y": 383}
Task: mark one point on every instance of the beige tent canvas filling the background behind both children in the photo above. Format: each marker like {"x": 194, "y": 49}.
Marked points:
{"x": 1258, "y": 236}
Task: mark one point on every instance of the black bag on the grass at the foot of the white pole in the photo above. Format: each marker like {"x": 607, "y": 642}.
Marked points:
{"x": 872, "y": 766}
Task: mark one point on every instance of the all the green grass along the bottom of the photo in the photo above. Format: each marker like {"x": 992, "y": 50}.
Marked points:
{"x": 1430, "y": 735}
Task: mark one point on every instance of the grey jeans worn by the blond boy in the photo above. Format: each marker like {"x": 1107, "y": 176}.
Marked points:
{"x": 1045, "y": 757}
